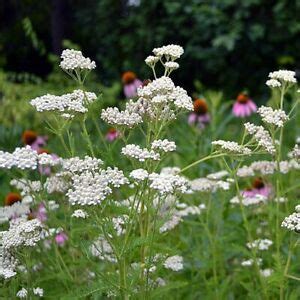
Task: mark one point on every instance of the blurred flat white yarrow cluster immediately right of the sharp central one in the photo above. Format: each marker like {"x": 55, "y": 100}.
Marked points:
{"x": 208, "y": 185}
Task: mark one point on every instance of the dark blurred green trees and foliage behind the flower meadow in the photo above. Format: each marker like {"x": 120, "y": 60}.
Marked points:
{"x": 229, "y": 44}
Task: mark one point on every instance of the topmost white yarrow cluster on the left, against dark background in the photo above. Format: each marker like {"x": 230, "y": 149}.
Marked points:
{"x": 73, "y": 59}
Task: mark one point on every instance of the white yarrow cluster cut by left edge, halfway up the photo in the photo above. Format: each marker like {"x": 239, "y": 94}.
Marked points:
{"x": 22, "y": 158}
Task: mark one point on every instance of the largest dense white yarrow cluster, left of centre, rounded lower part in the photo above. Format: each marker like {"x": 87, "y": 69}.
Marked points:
{"x": 91, "y": 188}
